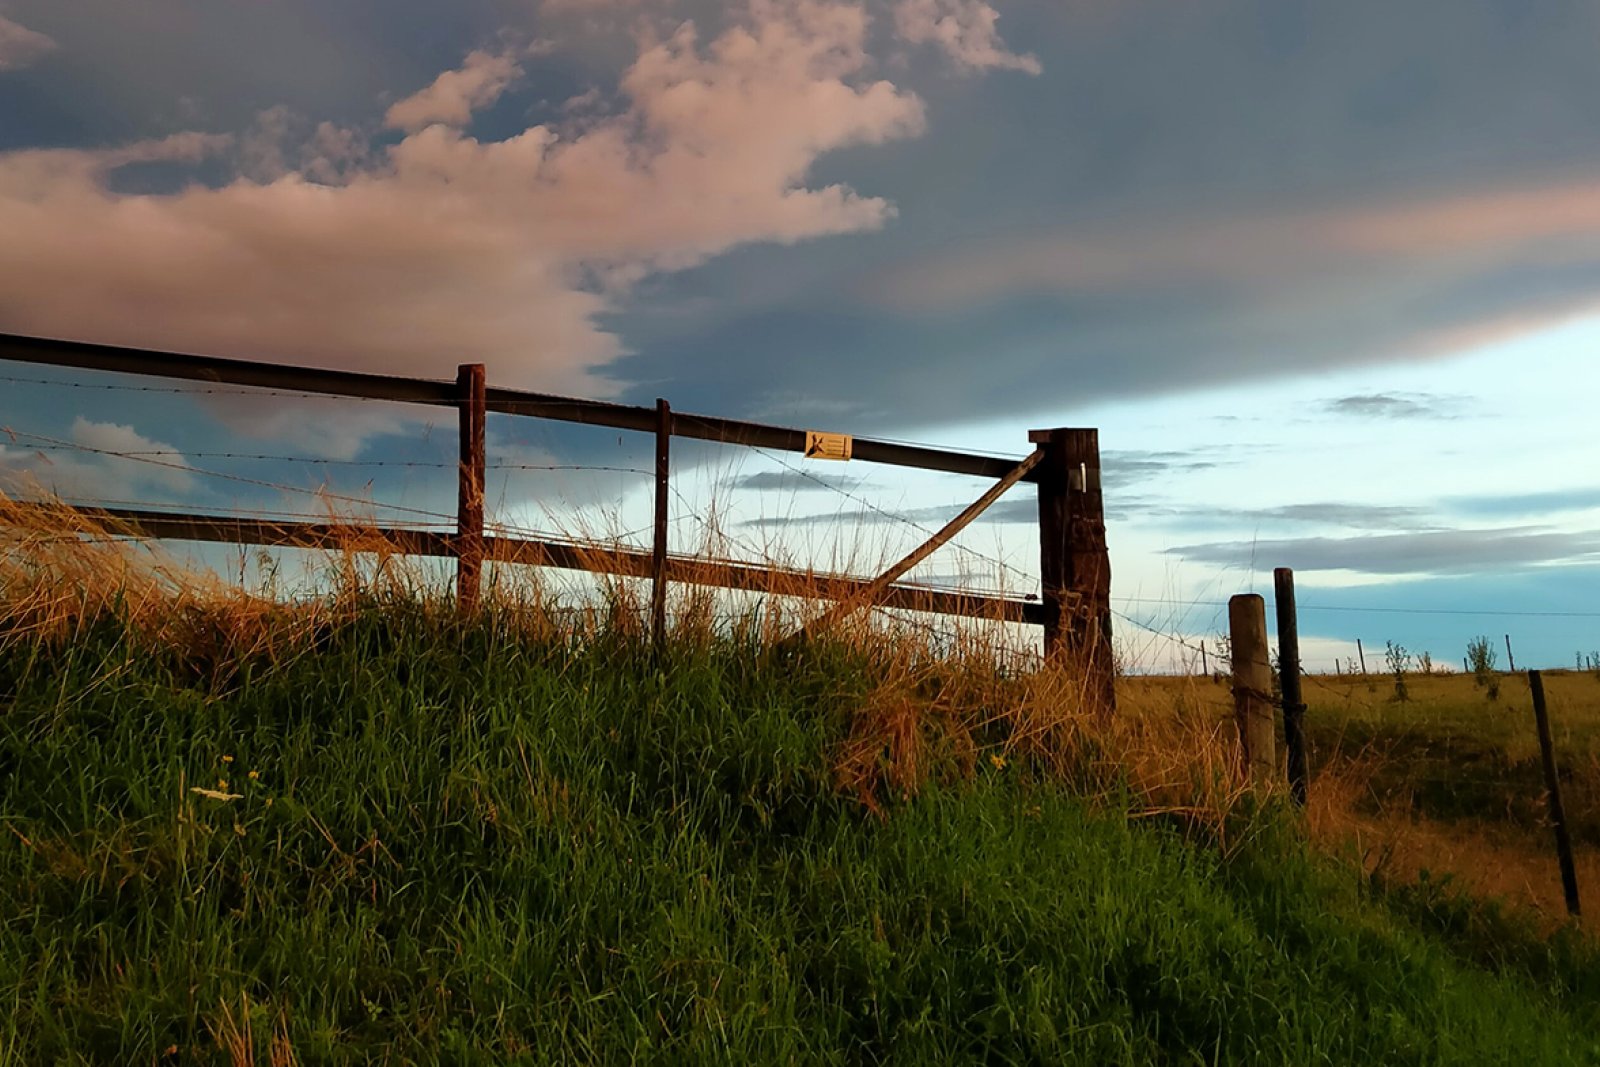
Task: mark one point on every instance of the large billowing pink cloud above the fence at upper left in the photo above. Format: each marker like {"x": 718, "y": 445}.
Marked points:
{"x": 447, "y": 249}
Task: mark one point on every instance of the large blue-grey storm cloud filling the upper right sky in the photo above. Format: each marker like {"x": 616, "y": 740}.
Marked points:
{"x": 1186, "y": 198}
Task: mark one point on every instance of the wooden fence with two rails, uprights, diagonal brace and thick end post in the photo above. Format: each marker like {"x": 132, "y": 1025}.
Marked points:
{"x": 1074, "y": 605}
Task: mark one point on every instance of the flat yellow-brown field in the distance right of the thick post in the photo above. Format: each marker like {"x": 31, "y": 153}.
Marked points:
{"x": 1444, "y": 785}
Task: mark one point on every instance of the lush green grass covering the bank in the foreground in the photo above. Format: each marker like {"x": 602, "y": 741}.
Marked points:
{"x": 466, "y": 845}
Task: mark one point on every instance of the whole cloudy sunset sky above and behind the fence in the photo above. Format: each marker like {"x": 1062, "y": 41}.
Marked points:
{"x": 1326, "y": 276}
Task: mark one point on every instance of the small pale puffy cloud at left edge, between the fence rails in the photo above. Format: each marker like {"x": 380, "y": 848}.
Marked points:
{"x": 94, "y": 471}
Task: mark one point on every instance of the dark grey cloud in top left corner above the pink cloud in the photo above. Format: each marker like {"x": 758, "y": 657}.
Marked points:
{"x": 129, "y": 71}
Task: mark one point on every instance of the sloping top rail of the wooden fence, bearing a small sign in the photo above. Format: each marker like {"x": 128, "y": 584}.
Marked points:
{"x": 426, "y": 391}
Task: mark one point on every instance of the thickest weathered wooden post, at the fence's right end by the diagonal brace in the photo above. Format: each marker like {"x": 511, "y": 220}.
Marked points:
{"x": 1073, "y": 559}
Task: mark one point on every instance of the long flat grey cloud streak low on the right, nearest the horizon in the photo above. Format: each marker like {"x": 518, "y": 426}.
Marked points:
{"x": 1425, "y": 553}
